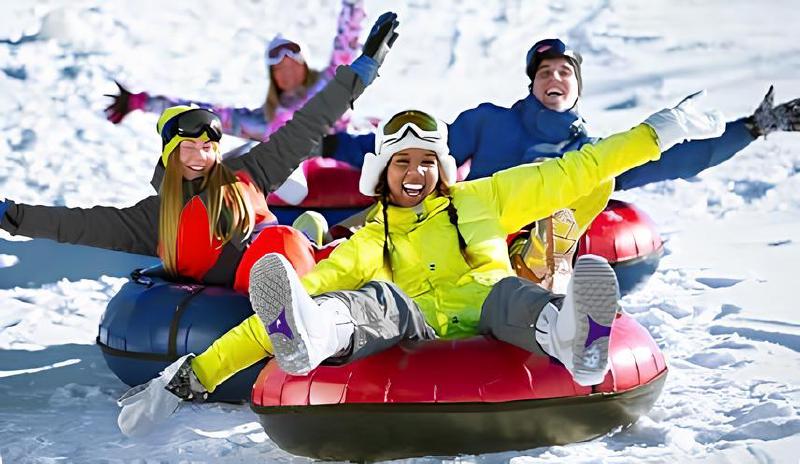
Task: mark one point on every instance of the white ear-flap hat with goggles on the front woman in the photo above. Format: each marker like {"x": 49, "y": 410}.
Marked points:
{"x": 407, "y": 129}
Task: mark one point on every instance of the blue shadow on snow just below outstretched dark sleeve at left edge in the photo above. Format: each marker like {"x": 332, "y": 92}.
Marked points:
{"x": 43, "y": 261}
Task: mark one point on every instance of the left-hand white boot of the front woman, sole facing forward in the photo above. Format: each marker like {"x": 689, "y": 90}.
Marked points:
{"x": 303, "y": 333}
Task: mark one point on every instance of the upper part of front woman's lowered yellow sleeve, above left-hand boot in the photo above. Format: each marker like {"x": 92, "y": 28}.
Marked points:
{"x": 349, "y": 267}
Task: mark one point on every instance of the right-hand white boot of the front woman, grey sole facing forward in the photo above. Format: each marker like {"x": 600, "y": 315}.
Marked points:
{"x": 578, "y": 334}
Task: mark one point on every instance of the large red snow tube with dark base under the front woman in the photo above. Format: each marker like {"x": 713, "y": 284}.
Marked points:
{"x": 451, "y": 397}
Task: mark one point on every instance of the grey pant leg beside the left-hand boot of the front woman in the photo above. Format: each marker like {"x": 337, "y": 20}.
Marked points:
{"x": 383, "y": 315}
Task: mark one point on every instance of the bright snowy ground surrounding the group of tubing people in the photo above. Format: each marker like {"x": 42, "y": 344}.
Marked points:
{"x": 722, "y": 305}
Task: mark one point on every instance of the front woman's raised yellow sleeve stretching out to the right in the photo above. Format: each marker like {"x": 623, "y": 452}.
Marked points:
{"x": 526, "y": 193}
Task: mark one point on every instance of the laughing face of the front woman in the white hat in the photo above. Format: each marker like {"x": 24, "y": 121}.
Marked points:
{"x": 412, "y": 175}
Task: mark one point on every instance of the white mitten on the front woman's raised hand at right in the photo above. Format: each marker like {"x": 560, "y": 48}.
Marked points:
{"x": 685, "y": 122}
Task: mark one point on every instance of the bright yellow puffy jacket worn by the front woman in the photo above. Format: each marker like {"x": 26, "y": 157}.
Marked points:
{"x": 426, "y": 262}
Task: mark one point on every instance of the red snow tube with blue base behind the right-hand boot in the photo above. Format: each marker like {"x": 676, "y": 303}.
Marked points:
{"x": 626, "y": 237}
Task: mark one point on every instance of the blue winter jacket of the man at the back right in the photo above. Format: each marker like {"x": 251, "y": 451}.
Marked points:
{"x": 497, "y": 138}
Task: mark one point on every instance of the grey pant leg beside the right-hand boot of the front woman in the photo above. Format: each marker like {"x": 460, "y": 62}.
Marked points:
{"x": 511, "y": 310}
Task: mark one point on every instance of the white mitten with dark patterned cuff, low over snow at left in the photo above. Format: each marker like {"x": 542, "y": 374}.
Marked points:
{"x": 147, "y": 405}
